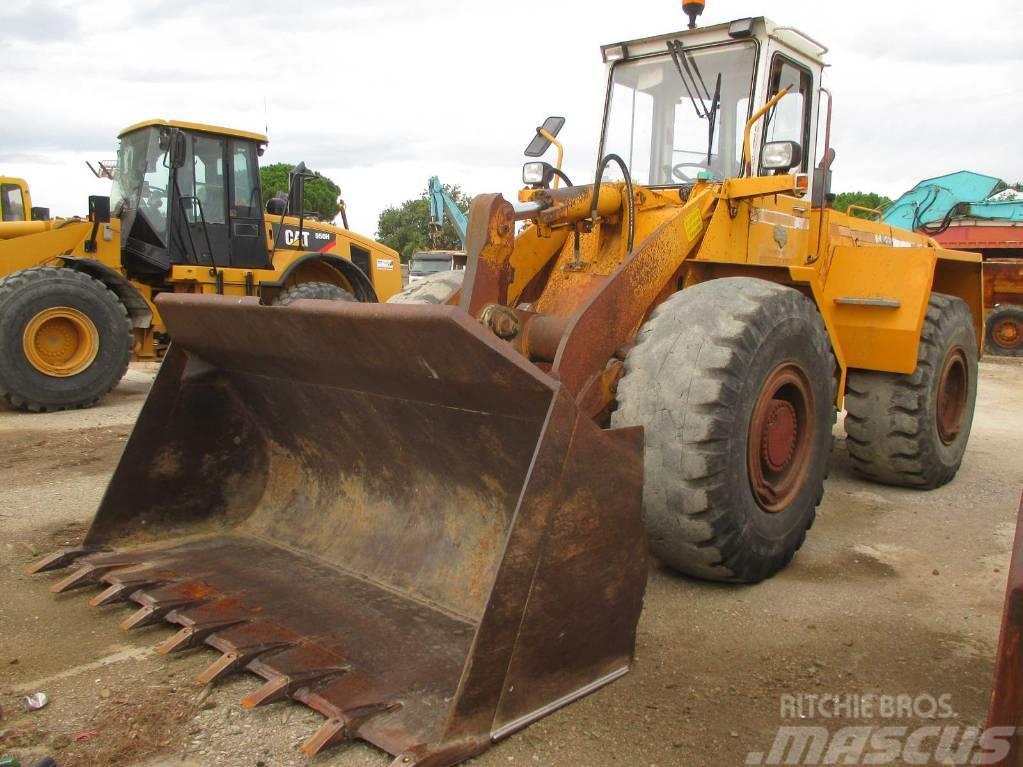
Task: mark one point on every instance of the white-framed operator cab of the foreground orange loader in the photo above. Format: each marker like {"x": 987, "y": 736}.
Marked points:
{"x": 678, "y": 105}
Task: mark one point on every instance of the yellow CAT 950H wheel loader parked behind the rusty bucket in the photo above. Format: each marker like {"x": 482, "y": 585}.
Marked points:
{"x": 187, "y": 216}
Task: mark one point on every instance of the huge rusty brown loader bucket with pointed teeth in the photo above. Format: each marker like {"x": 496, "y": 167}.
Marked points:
{"x": 382, "y": 511}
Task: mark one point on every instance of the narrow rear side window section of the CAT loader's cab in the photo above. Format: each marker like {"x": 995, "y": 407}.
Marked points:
{"x": 246, "y": 209}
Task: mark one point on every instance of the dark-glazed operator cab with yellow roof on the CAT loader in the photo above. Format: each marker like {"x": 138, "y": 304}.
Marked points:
{"x": 190, "y": 194}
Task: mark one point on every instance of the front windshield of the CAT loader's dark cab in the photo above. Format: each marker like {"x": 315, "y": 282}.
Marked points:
{"x": 141, "y": 178}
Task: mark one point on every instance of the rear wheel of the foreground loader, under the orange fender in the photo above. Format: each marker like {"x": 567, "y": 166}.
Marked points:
{"x": 912, "y": 431}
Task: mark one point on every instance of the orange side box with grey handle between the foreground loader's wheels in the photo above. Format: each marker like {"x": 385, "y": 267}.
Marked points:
{"x": 876, "y": 299}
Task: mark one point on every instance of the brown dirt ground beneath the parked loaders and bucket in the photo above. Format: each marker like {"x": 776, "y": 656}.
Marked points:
{"x": 896, "y": 593}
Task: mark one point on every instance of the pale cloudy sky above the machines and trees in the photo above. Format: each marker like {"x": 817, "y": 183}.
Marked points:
{"x": 381, "y": 95}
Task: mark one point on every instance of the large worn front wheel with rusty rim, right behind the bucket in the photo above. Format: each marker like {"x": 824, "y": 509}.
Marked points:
{"x": 734, "y": 383}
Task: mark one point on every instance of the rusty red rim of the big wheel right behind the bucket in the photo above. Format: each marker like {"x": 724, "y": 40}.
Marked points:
{"x": 781, "y": 438}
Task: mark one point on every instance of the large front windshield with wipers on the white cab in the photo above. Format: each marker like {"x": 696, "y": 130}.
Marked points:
{"x": 668, "y": 113}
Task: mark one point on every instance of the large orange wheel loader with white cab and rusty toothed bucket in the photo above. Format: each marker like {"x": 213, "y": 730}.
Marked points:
{"x": 440, "y": 536}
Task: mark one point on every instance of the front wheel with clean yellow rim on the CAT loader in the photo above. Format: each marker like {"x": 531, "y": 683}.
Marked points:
{"x": 66, "y": 340}
